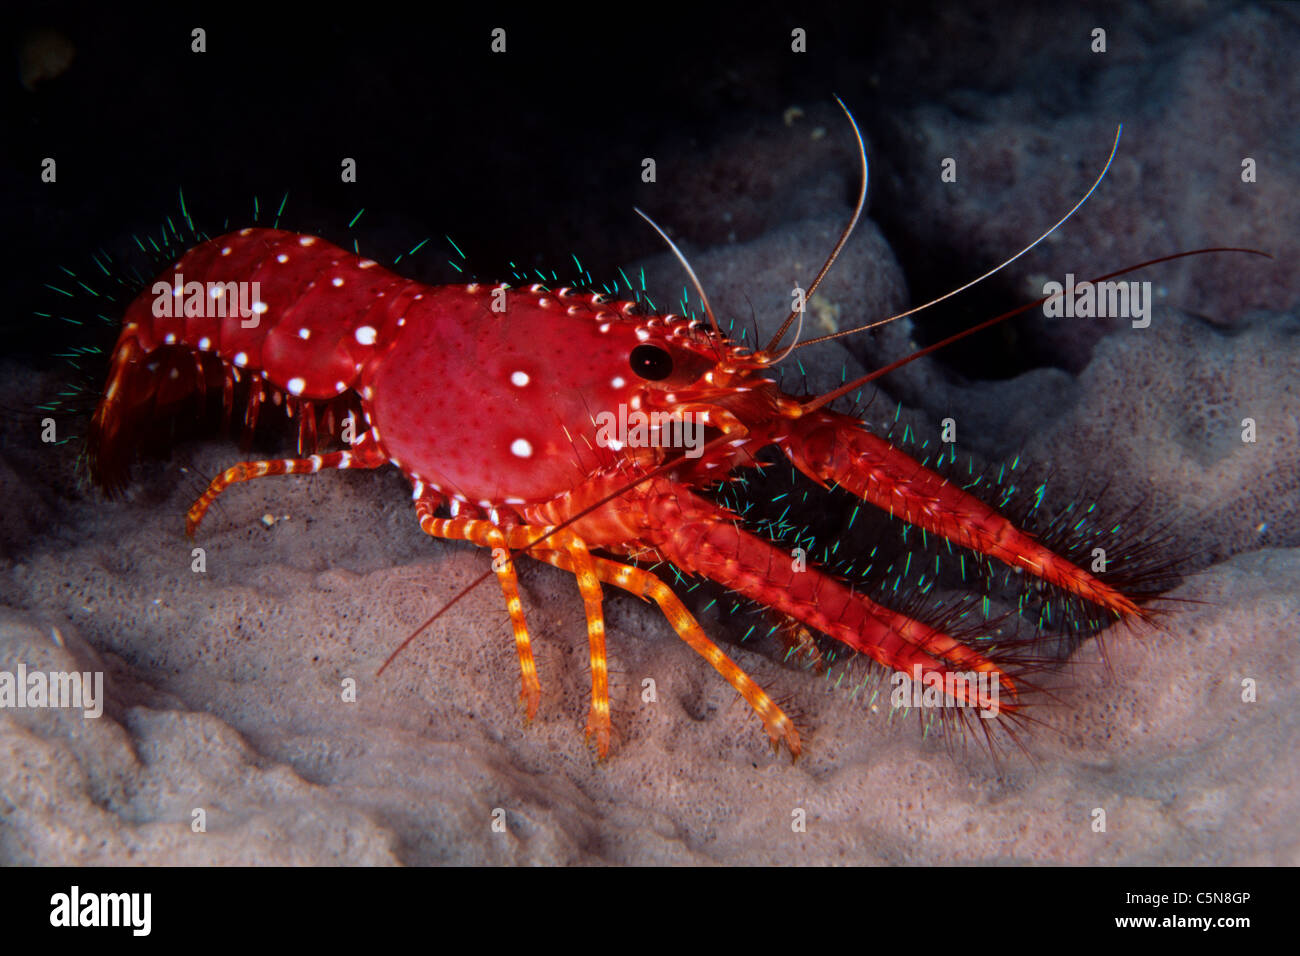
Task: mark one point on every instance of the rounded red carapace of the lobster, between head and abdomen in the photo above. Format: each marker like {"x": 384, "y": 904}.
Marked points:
{"x": 499, "y": 406}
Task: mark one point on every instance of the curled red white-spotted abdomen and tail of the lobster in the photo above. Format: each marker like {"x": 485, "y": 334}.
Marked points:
{"x": 270, "y": 314}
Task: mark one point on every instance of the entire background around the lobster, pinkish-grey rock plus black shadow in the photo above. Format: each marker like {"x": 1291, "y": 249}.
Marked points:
{"x": 224, "y": 687}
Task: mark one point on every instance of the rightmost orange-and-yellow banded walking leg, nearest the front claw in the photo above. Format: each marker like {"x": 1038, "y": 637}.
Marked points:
{"x": 648, "y": 586}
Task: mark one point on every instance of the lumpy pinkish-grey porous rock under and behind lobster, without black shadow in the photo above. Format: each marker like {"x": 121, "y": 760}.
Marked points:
{"x": 224, "y": 689}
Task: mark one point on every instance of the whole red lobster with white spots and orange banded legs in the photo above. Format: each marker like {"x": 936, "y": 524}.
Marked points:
{"x": 339, "y": 339}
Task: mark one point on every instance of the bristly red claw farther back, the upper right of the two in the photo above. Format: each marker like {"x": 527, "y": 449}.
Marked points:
{"x": 833, "y": 448}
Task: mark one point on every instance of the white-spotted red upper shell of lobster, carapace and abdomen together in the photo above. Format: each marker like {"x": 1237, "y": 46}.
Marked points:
{"x": 482, "y": 392}
